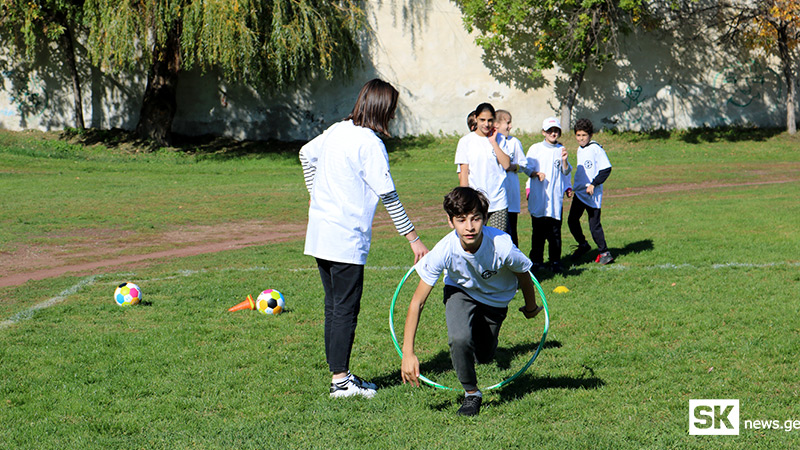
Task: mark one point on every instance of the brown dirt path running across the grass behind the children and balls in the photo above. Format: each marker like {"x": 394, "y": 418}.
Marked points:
{"x": 90, "y": 250}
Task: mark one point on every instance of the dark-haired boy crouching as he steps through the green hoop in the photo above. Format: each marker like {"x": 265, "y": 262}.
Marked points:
{"x": 482, "y": 271}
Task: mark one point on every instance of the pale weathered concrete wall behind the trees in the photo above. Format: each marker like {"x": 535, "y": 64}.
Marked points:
{"x": 422, "y": 47}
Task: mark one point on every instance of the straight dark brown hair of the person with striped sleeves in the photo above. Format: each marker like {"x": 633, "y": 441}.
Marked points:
{"x": 375, "y": 106}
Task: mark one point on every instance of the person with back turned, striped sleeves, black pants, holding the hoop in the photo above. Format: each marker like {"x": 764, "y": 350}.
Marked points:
{"x": 346, "y": 171}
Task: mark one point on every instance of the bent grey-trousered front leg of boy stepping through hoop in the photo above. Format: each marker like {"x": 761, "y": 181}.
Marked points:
{"x": 459, "y": 313}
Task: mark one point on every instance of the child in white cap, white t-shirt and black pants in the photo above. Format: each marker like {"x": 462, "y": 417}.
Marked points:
{"x": 549, "y": 173}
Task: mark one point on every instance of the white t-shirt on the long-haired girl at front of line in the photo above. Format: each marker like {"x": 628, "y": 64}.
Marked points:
{"x": 485, "y": 173}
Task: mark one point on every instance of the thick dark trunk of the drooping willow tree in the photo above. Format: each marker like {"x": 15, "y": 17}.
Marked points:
{"x": 160, "y": 97}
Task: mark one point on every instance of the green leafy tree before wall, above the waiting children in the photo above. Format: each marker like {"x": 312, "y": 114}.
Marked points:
{"x": 529, "y": 36}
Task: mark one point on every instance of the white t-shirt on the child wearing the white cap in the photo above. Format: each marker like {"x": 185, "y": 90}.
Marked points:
{"x": 546, "y": 198}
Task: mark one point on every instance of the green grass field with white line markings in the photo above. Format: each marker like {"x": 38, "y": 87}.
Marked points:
{"x": 702, "y": 303}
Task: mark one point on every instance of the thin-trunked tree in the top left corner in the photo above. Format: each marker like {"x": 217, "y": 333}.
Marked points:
{"x": 34, "y": 22}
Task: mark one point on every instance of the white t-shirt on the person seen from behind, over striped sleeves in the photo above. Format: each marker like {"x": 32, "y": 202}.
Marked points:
{"x": 352, "y": 171}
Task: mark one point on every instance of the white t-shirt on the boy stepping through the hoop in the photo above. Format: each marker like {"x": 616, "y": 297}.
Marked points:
{"x": 487, "y": 275}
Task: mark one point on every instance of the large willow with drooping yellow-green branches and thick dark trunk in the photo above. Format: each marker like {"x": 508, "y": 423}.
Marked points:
{"x": 273, "y": 43}
